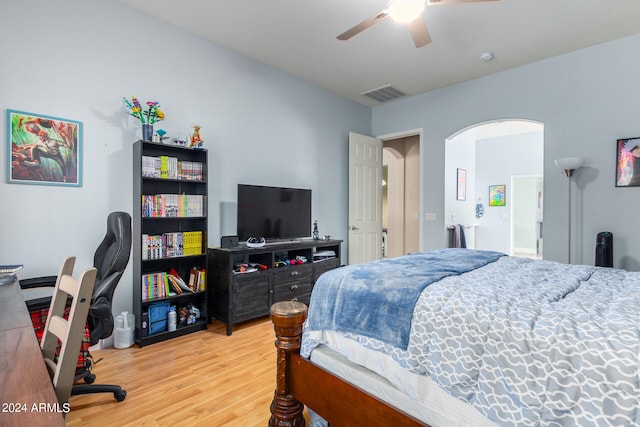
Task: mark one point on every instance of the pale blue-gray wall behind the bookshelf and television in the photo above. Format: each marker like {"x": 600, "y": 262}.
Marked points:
{"x": 76, "y": 59}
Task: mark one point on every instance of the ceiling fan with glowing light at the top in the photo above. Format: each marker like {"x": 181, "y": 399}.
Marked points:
{"x": 406, "y": 12}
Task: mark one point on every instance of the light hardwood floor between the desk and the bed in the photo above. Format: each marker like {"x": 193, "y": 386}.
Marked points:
{"x": 204, "y": 378}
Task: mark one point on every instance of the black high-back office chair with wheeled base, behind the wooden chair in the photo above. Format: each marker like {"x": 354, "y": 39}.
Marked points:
{"x": 110, "y": 260}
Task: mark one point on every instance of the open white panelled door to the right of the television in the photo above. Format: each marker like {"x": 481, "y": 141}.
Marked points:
{"x": 365, "y": 198}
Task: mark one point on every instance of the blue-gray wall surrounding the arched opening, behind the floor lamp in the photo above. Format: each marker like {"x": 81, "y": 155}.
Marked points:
{"x": 586, "y": 100}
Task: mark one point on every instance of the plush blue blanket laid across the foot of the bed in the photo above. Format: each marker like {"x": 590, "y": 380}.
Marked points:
{"x": 377, "y": 299}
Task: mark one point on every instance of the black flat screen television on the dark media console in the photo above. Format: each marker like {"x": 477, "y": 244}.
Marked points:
{"x": 273, "y": 212}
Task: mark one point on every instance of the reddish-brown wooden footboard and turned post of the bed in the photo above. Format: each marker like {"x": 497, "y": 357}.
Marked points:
{"x": 300, "y": 382}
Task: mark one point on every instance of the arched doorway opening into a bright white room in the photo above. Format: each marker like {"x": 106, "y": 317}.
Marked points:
{"x": 501, "y": 155}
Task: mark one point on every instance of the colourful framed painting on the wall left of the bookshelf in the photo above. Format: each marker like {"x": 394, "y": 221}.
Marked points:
{"x": 43, "y": 150}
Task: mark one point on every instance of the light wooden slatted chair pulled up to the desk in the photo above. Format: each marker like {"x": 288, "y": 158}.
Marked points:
{"x": 66, "y": 332}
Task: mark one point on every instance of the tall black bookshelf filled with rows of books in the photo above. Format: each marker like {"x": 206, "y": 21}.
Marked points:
{"x": 170, "y": 240}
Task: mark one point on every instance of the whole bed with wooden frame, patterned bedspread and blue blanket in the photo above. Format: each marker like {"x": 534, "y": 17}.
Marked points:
{"x": 460, "y": 337}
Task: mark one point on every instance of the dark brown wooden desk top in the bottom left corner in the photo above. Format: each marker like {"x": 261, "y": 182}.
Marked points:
{"x": 27, "y": 397}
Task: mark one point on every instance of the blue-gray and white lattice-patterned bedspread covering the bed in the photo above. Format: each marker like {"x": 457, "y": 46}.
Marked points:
{"x": 528, "y": 343}
